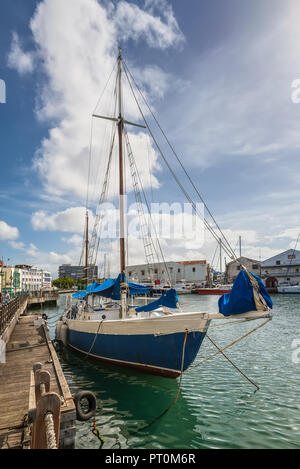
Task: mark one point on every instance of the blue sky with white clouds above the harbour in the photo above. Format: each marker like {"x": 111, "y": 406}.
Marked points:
{"x": 220, "y": 75}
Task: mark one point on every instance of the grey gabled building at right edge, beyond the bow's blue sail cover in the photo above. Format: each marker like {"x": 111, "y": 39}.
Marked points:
{"x": 282, "y": 268}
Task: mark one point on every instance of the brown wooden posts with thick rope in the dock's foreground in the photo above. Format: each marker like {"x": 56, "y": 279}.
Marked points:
{"x": 44, "y": 411}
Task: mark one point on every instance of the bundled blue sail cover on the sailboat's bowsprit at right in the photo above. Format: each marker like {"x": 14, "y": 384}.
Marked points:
{"x": 240, "y": 299}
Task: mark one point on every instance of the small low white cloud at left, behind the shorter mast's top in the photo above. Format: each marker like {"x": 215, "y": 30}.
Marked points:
{"x": 71, "y": 220}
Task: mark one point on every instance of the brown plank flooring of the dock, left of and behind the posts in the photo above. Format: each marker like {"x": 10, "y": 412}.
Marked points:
{"x": 28, "y": 344}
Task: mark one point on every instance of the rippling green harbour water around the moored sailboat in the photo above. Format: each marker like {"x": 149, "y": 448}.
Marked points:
{"x": 217, "y": 407}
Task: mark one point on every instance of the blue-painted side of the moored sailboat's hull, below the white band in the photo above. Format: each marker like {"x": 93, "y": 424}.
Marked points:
{"x": 160, "y": 355}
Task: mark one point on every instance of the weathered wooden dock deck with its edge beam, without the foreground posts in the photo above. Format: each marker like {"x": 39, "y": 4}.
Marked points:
{"x": 28, "y": 343}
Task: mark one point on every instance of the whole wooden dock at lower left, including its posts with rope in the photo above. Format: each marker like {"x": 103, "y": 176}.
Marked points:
{"x": 29, "y": 361}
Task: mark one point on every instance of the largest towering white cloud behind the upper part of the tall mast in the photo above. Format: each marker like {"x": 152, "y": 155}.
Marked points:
{"x": 76, "y": 43}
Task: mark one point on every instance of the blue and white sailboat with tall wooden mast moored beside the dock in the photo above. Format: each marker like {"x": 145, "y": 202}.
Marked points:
{"x": 156, "y": 338}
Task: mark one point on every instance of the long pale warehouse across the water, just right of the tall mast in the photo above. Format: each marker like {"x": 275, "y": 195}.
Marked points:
{"x": 188, "y": 271}
